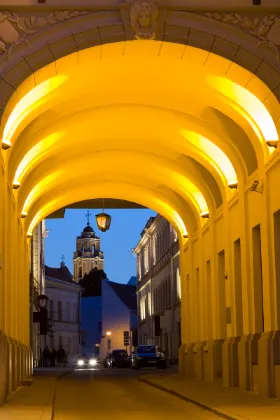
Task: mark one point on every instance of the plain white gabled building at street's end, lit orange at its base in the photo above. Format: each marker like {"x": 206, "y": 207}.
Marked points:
{"x": 119, "y": 304}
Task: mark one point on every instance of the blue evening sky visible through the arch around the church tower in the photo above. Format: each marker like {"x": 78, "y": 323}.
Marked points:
{"x": 124, "y": 233}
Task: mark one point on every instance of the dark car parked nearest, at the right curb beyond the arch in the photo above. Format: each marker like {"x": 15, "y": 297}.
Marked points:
{"x": 148, "y": 356}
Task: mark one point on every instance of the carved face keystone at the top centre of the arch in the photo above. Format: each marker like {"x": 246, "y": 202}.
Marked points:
{"x": 144, "y": 16}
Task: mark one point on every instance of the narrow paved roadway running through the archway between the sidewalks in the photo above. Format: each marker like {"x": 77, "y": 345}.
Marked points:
{"x": 117, "y": 394}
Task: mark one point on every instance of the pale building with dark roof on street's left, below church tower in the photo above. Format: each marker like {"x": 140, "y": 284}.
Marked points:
{"x": 64, "y": 309}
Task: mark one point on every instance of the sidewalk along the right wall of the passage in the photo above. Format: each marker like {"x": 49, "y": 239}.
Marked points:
{"x": 229, "y": 403}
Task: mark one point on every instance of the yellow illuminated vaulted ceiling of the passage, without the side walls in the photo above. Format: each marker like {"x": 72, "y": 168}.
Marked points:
{"x": 139, "y": 126}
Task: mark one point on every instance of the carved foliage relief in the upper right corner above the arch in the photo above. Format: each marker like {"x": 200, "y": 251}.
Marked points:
{"x": 265, "y": 28}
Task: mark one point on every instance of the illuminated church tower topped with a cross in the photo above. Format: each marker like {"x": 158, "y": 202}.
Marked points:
{"x": 87, "y": 255}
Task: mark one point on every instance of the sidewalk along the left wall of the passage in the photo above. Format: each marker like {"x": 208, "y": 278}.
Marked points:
{"x": 34, "y": 402}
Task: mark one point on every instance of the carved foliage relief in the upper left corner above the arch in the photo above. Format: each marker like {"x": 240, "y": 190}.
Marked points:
{"x": 15, "y": 28}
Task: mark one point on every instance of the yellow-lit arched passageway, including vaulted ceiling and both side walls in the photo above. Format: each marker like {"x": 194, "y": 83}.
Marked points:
{"x": 153, "y": 123}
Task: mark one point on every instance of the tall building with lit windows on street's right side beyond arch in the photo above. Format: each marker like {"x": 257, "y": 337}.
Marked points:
{"x": 159, "y": 287}
